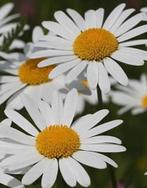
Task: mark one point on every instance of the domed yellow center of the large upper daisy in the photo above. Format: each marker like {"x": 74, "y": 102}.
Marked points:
{"x": 95, "y": 44}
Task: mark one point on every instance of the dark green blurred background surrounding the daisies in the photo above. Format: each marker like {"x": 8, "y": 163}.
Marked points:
{"x": 133, "y": 132}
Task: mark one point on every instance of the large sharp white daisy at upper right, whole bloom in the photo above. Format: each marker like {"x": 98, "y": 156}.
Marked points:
{"x": 93, "y": 45}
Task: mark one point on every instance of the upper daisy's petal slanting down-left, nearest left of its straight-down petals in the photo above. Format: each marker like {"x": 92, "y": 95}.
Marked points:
{"x": 75, "y": 72}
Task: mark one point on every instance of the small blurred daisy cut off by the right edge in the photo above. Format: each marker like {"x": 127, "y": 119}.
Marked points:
{"x": 133, "y": 97}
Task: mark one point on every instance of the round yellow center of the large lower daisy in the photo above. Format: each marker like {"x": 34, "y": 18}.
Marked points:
{"x": 57, "y": 141}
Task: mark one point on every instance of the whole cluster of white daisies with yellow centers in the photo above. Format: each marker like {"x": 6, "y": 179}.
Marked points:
{"x": 52, "y": 79}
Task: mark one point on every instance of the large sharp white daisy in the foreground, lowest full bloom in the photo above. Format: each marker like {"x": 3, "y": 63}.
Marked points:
{"x": 57, "y": 143}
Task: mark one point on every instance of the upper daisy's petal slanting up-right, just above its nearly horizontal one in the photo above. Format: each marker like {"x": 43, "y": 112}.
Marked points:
{"x": 133, "y": 33}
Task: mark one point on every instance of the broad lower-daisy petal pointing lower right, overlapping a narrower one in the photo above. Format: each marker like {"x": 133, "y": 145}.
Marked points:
{"x": 89, "y": 159}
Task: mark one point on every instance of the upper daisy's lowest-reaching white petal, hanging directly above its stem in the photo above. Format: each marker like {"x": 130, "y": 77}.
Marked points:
{"x": 103, "y": 78}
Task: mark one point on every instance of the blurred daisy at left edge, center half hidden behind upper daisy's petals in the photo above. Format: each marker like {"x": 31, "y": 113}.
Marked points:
{"x": 25, "y": 77}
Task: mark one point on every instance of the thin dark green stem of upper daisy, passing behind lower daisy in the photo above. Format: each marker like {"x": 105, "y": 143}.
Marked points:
{"x": 111, "y": 169}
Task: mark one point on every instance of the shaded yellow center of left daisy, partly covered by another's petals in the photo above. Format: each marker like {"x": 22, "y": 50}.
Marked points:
{"x": 30, "y": 74}
